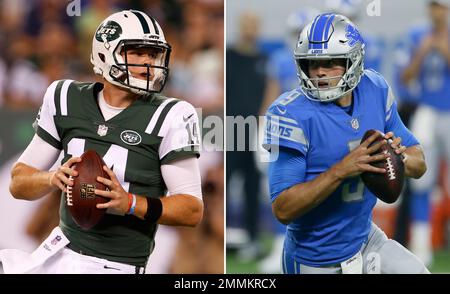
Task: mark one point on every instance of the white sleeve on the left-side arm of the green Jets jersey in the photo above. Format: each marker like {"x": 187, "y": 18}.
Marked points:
{"x": 45, "y": 121}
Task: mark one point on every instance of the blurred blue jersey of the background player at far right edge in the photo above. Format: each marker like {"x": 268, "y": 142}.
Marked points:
{"x": 433, "y": 80}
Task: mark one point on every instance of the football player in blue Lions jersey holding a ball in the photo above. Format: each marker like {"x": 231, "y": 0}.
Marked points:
{"x": 314, "y": 135}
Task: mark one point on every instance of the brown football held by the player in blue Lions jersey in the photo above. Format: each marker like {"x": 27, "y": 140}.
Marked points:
{"x": 388, "y": 186}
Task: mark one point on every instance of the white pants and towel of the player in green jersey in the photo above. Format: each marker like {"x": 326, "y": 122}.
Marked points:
{"x": 53, "y": 257}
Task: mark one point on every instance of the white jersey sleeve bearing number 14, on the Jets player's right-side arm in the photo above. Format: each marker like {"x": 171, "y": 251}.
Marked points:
{"x": 180, "y": 132}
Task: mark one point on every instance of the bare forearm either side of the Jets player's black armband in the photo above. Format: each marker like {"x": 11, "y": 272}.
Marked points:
{"x": 177, "y": 210}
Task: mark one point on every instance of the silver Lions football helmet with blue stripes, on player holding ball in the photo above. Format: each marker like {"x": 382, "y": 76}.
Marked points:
{"x": 329, "y": 36}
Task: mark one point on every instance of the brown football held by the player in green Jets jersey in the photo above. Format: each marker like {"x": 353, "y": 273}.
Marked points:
{"x": 80, "y": 198}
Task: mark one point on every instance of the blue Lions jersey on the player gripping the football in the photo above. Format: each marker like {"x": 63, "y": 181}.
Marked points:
{"x": 323, "y": 134}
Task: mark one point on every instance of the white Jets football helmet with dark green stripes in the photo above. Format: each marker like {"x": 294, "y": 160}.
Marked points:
{"x": 124, "y": 30}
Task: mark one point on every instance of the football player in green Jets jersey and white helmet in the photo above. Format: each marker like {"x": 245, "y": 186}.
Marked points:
{"x": 149, "y": 143}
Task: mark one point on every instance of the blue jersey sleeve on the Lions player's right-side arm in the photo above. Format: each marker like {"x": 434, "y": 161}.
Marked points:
{"x": 395, "y": 124}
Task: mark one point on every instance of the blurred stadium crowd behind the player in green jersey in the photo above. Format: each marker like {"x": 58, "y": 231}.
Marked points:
{"x": 40, "y": 43}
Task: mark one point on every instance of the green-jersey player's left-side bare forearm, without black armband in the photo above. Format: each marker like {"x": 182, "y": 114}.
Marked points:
{"x": 29, "y": 183}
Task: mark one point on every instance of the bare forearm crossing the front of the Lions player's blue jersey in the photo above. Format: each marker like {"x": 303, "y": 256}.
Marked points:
{"x": 301, "y": 198}
